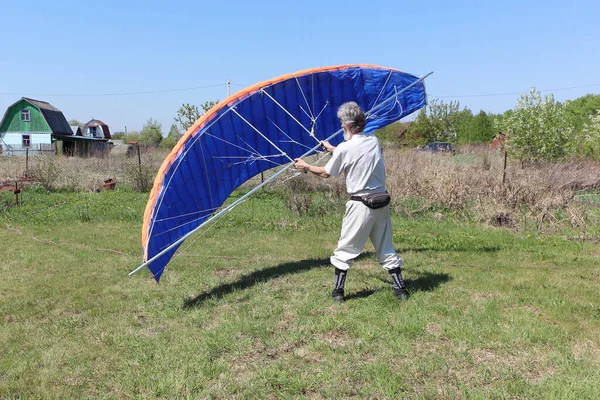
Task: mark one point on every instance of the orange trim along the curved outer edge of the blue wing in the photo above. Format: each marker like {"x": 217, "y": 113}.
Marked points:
{"x": 175, "y": 152}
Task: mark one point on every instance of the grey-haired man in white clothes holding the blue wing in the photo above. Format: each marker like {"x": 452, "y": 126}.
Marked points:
{"x": 359, "y": 158}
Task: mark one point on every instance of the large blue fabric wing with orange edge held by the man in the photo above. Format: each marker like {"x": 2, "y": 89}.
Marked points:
{"x": 256, "y": 129}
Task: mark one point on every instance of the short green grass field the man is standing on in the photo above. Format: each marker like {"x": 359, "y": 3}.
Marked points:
{"x": 244, "y": 311}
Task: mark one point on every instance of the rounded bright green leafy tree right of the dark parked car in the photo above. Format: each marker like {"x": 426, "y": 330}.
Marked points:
{"x": 539, "y": 129}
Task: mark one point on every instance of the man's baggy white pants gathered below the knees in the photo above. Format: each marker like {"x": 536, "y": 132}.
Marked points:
{"x": 362, "y": 223}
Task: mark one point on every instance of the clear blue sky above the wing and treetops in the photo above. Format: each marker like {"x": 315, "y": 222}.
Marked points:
{"x": 73, "y": 55}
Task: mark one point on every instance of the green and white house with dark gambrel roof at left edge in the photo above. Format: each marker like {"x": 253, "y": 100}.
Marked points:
{"x": 32, "y": 126}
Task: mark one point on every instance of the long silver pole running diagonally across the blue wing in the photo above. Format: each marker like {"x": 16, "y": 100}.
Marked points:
{"x": 288, "y": 166}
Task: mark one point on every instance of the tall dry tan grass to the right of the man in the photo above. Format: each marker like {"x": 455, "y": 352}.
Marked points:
{"x": 472, "y": 185}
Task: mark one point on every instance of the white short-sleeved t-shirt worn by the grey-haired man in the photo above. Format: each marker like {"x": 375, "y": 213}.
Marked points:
{"x": 361, "y": 162}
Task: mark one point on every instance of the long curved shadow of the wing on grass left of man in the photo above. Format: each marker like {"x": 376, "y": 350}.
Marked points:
{"x": 255, "y": 277}
